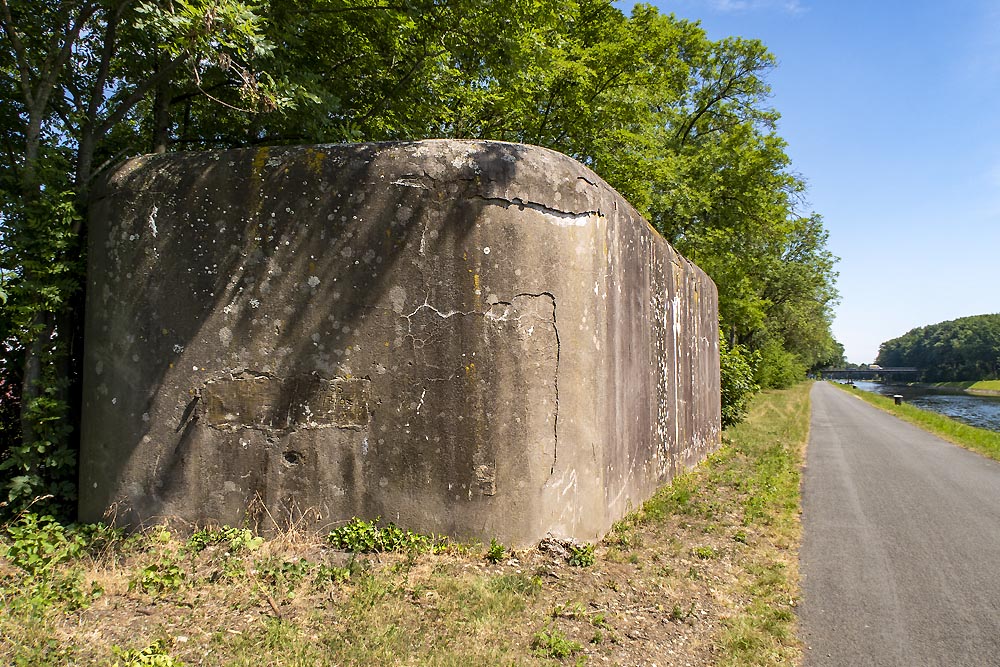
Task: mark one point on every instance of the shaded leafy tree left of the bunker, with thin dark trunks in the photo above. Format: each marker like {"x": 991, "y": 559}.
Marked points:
{"x": 85, "y": 83}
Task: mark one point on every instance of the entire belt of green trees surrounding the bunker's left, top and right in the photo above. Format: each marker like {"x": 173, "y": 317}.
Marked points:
{"x": 676, "y": 122}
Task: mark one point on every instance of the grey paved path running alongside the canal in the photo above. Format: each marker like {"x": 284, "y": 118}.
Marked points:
{"x": 900, "y": 557}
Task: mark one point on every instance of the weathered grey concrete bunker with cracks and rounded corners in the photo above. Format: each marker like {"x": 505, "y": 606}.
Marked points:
{"x": 472, "y": 338}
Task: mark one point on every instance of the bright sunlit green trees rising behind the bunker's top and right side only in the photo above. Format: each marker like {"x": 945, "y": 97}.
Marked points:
{"x": 677, "y": 123}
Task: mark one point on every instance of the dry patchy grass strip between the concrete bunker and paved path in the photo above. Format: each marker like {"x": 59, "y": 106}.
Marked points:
{"x": 704, "y": 573}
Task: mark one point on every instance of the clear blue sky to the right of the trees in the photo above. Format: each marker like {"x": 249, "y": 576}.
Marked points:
{"x": 891, "y": 111}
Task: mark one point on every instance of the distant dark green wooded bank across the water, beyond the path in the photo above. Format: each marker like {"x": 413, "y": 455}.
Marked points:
{"x": 964, "y": 349}
